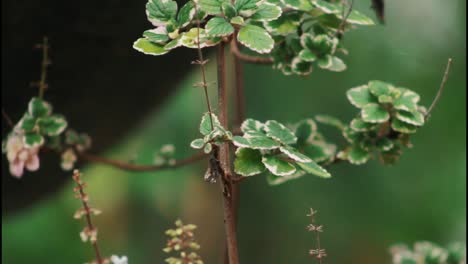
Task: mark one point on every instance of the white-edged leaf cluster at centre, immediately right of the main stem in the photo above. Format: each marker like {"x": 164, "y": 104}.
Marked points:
{"x": 273, "y": 147}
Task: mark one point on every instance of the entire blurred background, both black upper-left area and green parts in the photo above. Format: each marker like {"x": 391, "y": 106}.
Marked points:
{"x": 132, "y": 104}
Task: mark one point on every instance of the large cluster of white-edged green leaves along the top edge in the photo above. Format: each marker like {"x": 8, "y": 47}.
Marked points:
{"x": 298, "y": 34}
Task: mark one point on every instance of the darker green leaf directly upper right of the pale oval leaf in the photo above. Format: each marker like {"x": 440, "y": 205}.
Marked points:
{"x": 286, "y": 24}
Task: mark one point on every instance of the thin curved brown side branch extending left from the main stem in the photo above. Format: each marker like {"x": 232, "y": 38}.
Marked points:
{"x": 140, "y": 168}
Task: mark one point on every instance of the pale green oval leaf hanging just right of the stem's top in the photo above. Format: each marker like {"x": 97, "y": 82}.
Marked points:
{"x": 256, "y": 39}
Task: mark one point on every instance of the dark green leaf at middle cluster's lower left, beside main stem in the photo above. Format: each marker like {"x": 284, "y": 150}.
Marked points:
{"x": 248, "y": 162}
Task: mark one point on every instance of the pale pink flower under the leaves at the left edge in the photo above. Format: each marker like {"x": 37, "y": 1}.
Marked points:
{"x": 21, "y": 157}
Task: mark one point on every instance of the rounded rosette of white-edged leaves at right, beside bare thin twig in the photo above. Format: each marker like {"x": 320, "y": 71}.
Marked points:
{"x": 388, "y": 116}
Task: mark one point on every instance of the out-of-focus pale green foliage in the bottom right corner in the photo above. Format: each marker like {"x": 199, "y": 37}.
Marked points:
{"x": 425, "y": 252}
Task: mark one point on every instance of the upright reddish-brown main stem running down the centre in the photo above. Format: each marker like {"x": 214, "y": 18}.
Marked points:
{"x": 225, "y": 181}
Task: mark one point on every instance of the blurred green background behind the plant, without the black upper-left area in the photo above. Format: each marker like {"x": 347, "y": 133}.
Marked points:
{"x": 364, "y": 208}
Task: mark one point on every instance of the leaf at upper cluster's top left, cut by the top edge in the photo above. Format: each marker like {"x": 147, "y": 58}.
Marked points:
{"x": 160, "y": 12}
